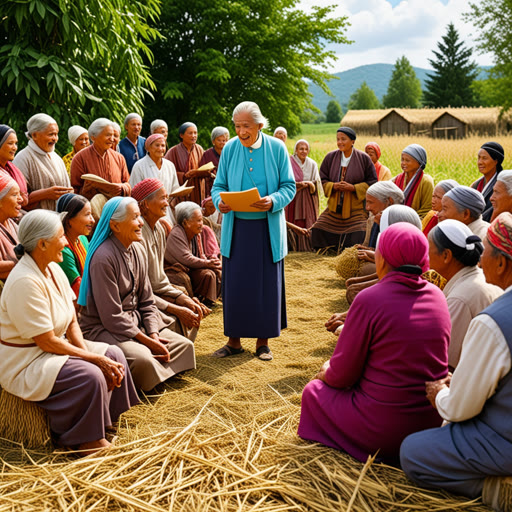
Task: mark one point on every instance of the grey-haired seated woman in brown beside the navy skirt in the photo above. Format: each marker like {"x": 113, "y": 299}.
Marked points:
{"x": 195, "y": 247}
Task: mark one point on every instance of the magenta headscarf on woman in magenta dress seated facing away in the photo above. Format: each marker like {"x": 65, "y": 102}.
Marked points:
{"x": 404, "y": 244}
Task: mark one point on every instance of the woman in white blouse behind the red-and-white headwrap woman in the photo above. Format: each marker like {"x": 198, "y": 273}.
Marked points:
{"x": 154, "y": 165}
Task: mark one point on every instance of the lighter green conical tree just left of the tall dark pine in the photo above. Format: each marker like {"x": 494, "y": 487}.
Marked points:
{"x": 404, "y": 89}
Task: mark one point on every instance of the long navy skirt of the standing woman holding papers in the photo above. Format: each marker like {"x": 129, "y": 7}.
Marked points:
{"x": 253, "y": 293}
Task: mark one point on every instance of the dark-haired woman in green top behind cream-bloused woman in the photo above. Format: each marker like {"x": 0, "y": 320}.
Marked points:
{"x": 78, "y": 223}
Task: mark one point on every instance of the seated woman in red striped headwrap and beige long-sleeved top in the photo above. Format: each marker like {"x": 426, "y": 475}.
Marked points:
{"x": 187, "y": 312}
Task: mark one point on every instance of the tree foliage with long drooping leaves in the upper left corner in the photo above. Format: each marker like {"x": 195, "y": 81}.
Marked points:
{"x": 75, "y": 60}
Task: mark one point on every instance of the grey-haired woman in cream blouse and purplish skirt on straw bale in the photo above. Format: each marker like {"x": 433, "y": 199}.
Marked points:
{"x": 84, "y": 387}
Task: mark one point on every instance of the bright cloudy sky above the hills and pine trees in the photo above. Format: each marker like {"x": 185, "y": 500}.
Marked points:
{"x": 382, "y": 33}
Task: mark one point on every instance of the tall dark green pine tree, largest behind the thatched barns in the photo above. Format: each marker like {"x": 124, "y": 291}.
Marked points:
{"x": 454, "y": 72}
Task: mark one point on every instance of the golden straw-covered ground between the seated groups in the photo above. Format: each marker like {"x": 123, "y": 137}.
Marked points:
{"x": 223, "y": 437}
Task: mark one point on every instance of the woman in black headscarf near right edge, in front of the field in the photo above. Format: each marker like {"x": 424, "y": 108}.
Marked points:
{"x": 490, "y": 158}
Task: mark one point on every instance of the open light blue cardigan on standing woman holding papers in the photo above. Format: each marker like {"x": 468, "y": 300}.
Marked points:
{"x": 281, "y": 188}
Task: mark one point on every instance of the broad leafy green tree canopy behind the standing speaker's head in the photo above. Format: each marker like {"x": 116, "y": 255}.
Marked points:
{"x": 216, "y": 54}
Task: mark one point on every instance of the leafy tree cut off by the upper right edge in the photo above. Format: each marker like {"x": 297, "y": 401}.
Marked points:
{"x": 493, "y": 18}
